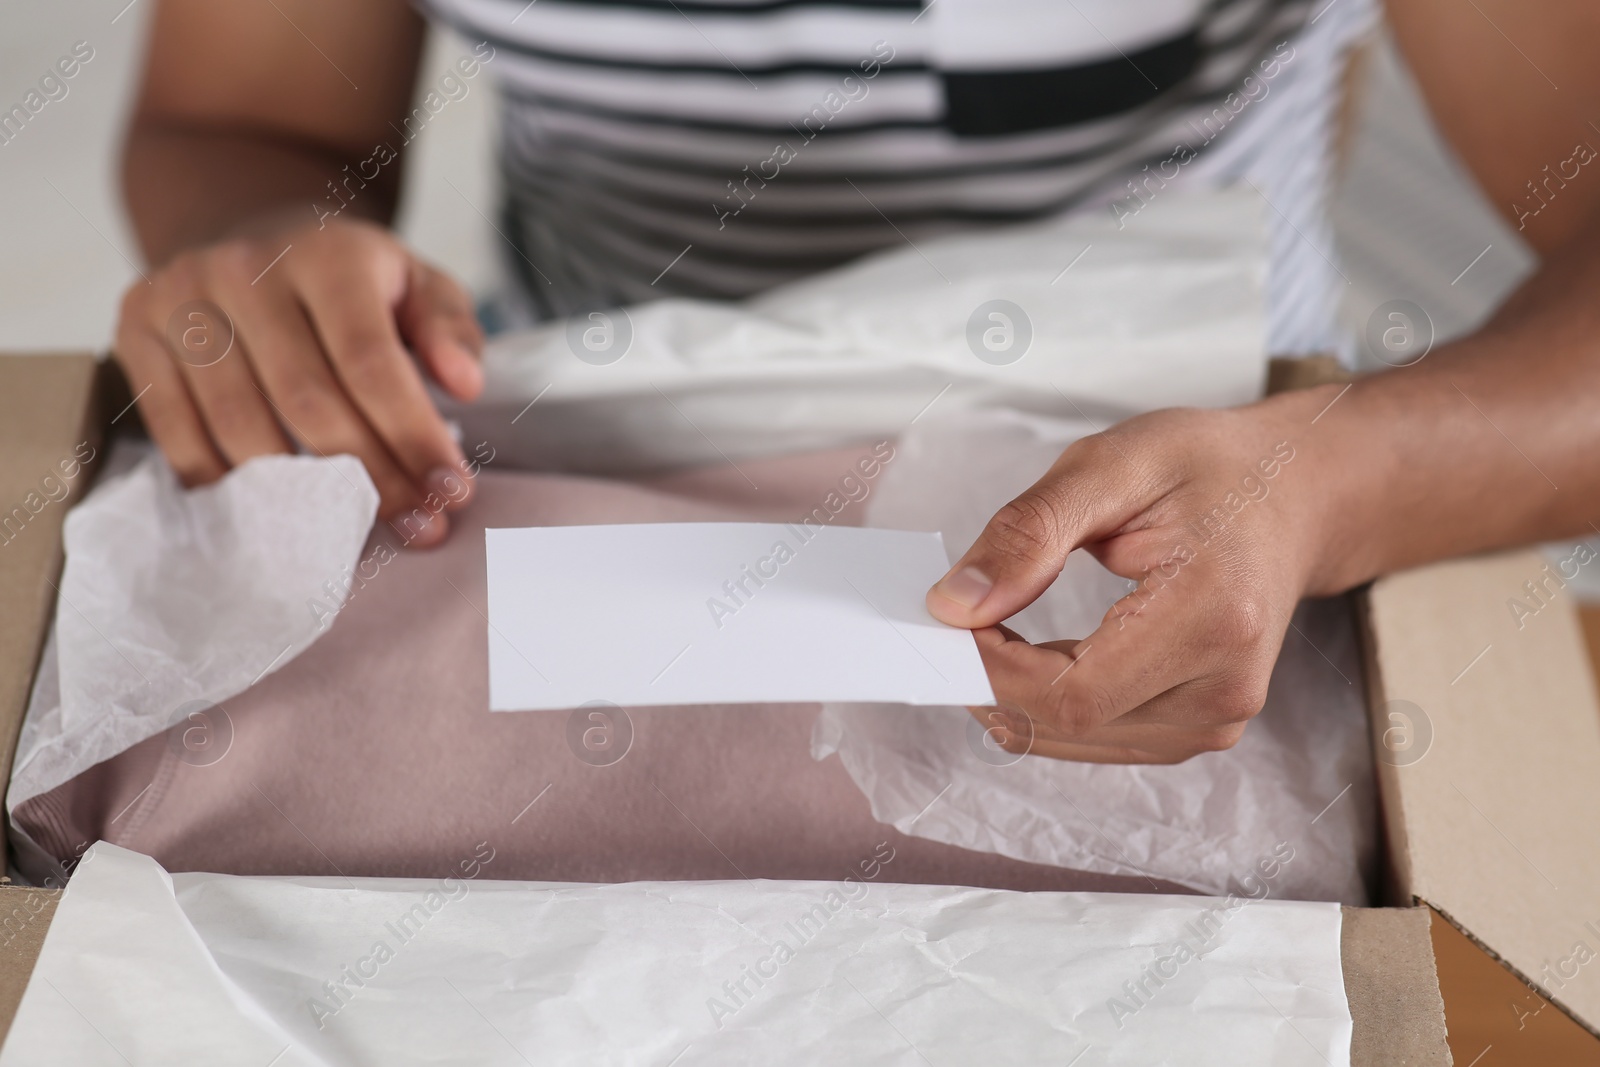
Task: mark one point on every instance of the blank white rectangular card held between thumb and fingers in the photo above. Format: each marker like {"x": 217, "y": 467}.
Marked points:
{"x": 721, "y": 613}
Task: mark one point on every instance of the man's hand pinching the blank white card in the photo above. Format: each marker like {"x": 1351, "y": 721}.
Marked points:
{"x": 1212, "y": 516}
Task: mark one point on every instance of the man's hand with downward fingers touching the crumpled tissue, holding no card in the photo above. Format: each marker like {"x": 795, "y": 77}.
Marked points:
{"x": 322, "y": 346}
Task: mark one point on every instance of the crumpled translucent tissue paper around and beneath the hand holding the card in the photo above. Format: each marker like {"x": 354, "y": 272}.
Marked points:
{"x": 1302, "y": 777}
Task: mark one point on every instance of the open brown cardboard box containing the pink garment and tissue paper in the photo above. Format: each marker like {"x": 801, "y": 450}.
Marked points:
{"x": 1490, "y": 826}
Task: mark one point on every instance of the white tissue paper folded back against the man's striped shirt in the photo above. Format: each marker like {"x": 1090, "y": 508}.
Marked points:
{"x": 1102, "y": 319}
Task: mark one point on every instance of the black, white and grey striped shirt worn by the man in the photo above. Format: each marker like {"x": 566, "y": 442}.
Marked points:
{"x": 718, "y": 148}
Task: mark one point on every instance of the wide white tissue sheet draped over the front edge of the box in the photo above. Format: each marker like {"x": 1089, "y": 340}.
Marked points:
{"x": 142, "y": 967}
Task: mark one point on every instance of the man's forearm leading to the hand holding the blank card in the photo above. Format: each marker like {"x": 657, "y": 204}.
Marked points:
{"x": 1489, "y": 442}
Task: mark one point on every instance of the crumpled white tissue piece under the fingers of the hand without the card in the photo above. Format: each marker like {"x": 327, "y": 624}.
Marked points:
{"x": 177, "y": 599}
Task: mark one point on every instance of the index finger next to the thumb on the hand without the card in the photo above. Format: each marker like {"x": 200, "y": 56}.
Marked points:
{"x": 354, "y": 316}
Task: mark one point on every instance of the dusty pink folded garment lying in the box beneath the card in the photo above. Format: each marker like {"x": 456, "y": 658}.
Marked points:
{"x": 375, "y": 753}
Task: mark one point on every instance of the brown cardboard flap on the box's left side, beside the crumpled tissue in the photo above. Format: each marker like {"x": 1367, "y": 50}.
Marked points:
{"x": 49, "y": 423}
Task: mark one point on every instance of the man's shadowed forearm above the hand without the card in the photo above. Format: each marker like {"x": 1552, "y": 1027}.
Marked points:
{"x": 188, "y": 186}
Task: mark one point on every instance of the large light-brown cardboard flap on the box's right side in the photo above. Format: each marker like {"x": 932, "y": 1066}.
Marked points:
{"x": 1494, "y": 807}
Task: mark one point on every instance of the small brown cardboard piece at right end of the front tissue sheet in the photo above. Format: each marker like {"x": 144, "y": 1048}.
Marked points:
{"x": 1390, "y": 980}
